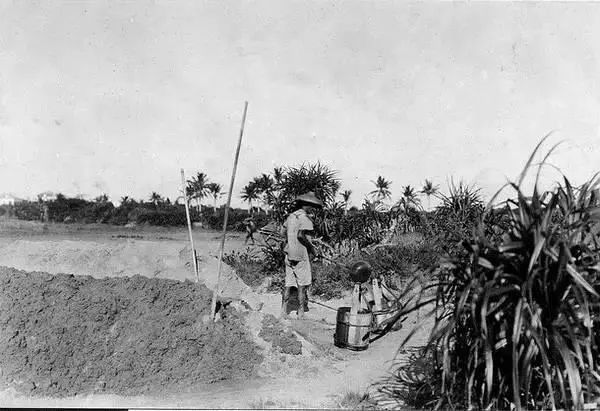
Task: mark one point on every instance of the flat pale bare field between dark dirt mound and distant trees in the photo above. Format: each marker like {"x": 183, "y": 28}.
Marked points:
{"x": 104, "y": 250}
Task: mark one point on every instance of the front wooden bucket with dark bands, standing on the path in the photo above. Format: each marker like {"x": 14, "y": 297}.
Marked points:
{"x": 352, "y": 331}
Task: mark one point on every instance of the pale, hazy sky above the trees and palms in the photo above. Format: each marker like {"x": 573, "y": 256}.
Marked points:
{"x": 116, "y": 97}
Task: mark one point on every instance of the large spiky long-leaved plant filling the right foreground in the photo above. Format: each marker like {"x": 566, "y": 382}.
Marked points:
{"x": 516, "y": 320}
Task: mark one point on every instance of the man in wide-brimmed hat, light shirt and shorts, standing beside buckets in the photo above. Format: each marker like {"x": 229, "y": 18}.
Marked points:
{"x": 299, "y": 249}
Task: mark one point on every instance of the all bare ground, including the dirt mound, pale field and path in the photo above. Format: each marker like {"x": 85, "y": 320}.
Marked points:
{"x": 119, "y": 339}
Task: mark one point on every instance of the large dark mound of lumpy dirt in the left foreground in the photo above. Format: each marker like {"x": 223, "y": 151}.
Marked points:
{"x": 63, "y": 335}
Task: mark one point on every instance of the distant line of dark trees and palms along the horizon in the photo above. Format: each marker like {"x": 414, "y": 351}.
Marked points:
{"x": 269, "y": 196}
